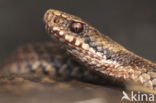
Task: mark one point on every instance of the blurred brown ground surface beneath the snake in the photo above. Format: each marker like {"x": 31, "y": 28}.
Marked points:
{"x": 50, "y": 91}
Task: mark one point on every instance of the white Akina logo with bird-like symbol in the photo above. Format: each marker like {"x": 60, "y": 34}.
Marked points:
{"x": 137, "y": 96}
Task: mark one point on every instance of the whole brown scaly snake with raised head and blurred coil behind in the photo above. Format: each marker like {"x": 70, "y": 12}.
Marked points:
{"x": 79, "y": 51}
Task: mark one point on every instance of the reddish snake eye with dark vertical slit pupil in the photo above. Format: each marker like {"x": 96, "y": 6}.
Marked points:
{"x": 76, "y": 27}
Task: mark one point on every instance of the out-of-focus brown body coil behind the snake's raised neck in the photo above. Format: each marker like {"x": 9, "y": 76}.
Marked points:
{"x": 44, "y": 59}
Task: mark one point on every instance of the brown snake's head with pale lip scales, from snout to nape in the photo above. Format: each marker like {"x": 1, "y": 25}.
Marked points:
{"x": 79, "y": 38}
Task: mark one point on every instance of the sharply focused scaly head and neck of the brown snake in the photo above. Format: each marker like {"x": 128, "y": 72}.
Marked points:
{"x": 98, "y": 52}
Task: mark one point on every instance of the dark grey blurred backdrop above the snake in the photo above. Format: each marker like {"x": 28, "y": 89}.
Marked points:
{"x": 132, "y": 23}
